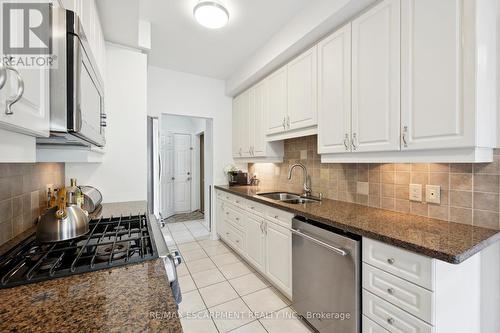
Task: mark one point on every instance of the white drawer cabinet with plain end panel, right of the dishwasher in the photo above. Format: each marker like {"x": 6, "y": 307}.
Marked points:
{"x": 408, "y": 292}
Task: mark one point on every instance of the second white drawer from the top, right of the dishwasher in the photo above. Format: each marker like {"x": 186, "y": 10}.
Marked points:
{"x": 406, "y": 295}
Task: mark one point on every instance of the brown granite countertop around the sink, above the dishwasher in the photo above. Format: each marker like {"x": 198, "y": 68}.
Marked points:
{"x": 447, "y": 241}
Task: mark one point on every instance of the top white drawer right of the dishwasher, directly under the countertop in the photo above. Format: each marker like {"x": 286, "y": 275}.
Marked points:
{"x": 404, "y": 264}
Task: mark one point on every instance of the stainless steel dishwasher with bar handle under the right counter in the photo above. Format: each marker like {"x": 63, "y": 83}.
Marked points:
{"x": 326, "y": 277}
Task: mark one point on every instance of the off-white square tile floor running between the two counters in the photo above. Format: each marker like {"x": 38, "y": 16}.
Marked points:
{"x": 220, "y": 292}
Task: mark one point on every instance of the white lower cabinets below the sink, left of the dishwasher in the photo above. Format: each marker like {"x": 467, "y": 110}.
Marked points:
{"x": 260, "y": 234}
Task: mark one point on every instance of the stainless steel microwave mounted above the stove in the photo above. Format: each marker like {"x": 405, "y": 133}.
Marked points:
{"x": 77, "y": 115}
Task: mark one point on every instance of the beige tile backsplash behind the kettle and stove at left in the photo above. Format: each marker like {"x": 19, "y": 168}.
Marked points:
{"x": 23, "y": 194}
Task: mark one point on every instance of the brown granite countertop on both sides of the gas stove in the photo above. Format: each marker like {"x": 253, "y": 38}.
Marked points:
{"x": 132, "y": 298}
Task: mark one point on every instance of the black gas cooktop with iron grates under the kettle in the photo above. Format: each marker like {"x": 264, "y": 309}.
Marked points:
{"x": 111, "y": 242}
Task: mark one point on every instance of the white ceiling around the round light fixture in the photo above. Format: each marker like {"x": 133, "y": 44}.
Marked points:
{"x": 180, "y": 43}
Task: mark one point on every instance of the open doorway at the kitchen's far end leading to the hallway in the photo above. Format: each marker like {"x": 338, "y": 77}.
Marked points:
{"x": 186, "y": 169}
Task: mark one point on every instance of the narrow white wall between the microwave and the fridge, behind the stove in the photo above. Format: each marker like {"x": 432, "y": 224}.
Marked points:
{"x": 122, "y": 175}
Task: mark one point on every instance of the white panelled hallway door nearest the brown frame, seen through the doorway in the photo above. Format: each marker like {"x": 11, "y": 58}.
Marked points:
{"x": 182, "y": 173}
